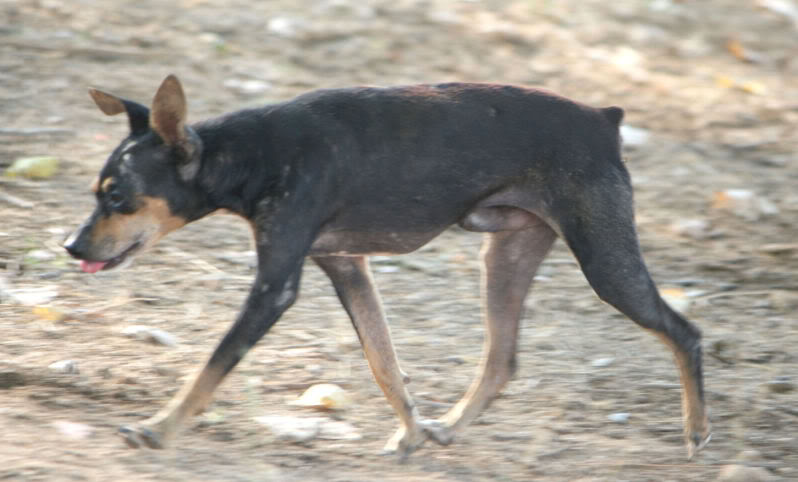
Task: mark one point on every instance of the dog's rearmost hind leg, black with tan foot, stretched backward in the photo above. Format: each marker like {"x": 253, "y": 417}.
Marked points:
{"x": 598, "y": 225}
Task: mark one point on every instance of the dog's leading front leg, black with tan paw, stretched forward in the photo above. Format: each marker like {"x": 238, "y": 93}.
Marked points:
{"x": 266, "y": 302}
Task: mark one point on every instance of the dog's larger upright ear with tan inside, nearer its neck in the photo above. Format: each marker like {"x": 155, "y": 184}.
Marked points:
{"x": 168, "y": 120}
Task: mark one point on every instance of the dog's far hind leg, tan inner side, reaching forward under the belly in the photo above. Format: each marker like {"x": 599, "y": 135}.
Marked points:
{"x": 510, "y": 260}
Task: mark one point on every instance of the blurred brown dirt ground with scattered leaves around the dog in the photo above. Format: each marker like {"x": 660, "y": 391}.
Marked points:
{"x": 711, "y": 97}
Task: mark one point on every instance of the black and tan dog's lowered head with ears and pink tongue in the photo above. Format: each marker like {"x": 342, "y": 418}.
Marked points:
{"x": 146, "y": 188}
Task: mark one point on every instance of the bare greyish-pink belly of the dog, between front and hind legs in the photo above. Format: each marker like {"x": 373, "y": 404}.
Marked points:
{"x": 359, "y": 243}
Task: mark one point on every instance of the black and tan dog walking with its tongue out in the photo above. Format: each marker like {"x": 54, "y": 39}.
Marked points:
{"x": 338, "y": 175}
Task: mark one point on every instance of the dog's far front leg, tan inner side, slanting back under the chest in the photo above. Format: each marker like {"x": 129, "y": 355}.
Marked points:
{"x": 352, "y": 281}
